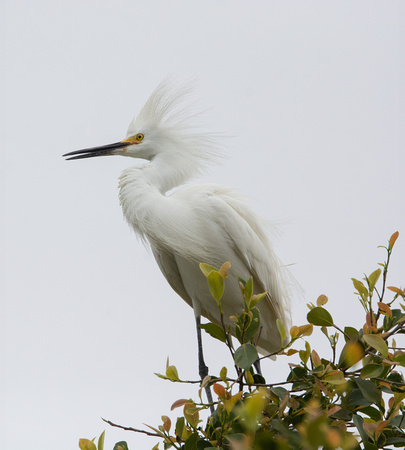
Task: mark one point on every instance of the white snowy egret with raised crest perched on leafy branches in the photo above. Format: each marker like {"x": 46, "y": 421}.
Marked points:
{"x": 195, "y": 223}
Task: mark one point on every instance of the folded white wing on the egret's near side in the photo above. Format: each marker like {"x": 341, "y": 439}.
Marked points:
{"x": 235, "y": 229}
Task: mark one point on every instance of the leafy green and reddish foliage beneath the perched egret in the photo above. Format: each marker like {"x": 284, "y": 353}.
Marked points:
{"x": 352, "y": 400}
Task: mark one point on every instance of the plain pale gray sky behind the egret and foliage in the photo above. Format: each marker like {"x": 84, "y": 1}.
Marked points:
{"x": 312, "y": 95}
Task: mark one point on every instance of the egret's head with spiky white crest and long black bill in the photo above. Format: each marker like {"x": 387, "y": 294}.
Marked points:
{"x": 165, "y": 127}
